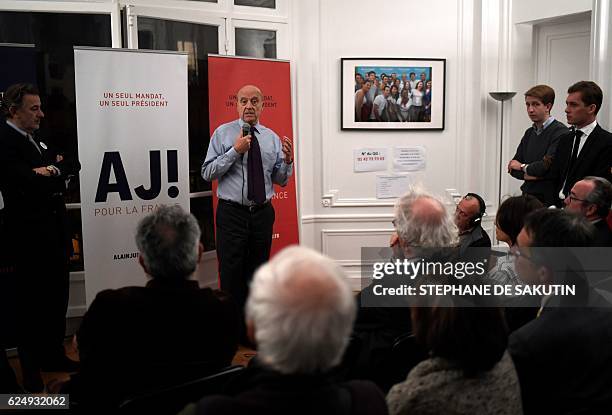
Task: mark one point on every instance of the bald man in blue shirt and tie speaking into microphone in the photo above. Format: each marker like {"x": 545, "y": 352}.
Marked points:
{"x": 247, "y": 159}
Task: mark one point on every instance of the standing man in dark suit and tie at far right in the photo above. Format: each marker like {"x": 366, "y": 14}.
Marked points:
{"x": 588, "y": 150}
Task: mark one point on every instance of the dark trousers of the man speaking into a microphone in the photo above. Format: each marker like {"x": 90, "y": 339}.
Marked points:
{"x": 244, "y": 239}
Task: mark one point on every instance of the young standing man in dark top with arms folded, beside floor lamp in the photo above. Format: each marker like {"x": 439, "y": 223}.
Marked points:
{"x": 533, "y": 159}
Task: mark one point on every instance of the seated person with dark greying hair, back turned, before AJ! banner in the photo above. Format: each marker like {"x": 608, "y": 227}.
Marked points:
{"x": 136, "y": 339}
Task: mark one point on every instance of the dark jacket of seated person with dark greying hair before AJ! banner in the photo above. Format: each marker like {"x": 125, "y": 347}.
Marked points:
{"x": 135, "y": 339}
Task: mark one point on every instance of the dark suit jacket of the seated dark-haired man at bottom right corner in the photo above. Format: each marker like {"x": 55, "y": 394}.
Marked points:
{"x": 564, "y": 359}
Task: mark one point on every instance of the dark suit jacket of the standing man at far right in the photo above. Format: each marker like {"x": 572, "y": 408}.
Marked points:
{"x": 595, "y": 158}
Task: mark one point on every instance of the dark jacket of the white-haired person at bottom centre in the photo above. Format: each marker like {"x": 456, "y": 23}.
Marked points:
{"x": 261, "y": 391}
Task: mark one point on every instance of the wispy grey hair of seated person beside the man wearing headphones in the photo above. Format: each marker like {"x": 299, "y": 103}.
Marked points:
{"x": 432, "y": 228}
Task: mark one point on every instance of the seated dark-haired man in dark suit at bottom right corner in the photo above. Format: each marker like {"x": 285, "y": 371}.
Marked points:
{"x": 563, "y": 357}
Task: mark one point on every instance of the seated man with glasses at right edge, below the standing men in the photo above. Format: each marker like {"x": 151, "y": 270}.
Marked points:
{"x": 591, "y": 197}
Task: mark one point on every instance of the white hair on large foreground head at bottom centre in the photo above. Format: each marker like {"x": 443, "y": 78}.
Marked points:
{"x": 303, "y": 311}
